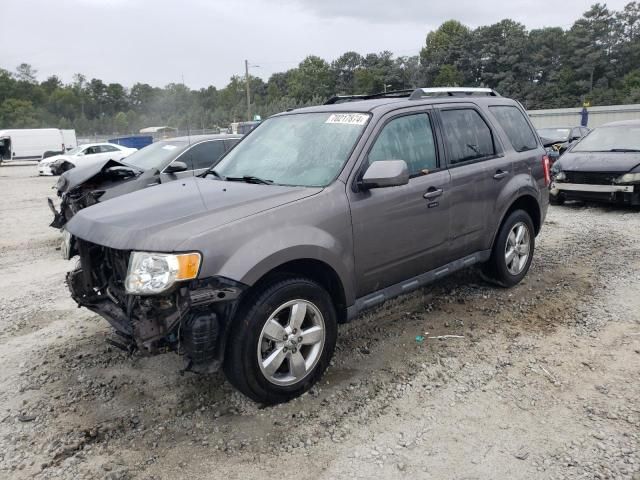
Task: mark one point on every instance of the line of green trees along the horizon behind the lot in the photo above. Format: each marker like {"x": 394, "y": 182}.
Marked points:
{"x": 596, "y": 60}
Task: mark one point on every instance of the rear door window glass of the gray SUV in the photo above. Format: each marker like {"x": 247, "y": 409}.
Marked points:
{"x": 466, "y": 135}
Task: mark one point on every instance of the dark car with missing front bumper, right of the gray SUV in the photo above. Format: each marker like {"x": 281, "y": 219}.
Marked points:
{"x": 604, "y": 166}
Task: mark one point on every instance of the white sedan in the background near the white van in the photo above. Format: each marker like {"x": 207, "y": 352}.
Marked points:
{"x": 91, "y": 151}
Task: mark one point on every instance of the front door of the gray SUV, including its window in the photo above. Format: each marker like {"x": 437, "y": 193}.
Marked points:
{"x": 400, "y": 232}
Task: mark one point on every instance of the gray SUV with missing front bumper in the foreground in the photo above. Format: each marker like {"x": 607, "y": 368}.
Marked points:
{"x": 316, "y": 215}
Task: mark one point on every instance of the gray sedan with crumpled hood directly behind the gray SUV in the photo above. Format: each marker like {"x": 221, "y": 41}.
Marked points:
{"x": 161, "y": 162}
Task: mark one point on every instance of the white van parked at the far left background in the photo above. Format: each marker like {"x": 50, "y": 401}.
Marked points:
{"x": 31, "y": 144}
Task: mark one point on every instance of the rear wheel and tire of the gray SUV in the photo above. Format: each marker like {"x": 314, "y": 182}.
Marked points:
{"x": 508, "y": 273}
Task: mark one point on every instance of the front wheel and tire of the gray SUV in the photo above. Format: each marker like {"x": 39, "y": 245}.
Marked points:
{"x": 254, "y": 349}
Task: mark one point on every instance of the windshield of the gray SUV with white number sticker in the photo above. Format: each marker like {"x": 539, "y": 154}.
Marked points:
{"x": 304, "y": 149}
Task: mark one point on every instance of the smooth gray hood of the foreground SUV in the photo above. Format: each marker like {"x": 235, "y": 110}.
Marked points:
{"x": 163, "y": 217}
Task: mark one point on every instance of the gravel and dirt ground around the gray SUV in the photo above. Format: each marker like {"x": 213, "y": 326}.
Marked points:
{"x": 541, "y": 381}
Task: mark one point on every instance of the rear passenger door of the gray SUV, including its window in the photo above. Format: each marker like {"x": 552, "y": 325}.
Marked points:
{"x": 478, "y": 169}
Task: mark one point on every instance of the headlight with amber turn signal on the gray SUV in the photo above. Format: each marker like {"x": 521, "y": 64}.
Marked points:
{"x": 151, "y": 273}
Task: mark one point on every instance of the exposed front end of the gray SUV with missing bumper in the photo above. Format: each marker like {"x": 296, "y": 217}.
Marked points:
{"x": 190, "y": 318}
